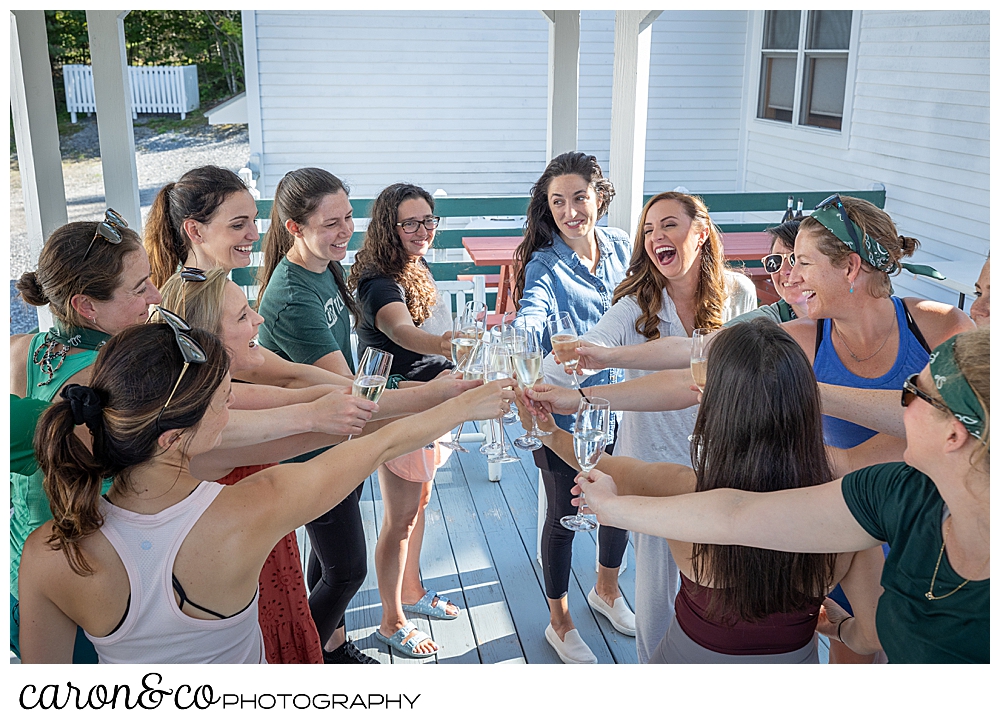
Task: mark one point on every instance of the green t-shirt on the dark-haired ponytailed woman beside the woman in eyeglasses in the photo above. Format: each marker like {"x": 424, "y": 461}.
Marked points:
{"x": 305, "y": 316}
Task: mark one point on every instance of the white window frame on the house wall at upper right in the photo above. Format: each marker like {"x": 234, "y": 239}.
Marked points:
{"x": 795, "y": 129}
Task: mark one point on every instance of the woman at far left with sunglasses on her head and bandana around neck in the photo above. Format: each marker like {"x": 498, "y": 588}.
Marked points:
{"x": 95, "y": 279}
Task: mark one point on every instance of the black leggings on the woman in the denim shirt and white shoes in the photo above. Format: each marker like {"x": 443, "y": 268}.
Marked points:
{"x": 557, "y": 541}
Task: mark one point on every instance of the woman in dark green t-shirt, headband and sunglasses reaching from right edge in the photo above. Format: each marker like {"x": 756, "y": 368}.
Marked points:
{"x": 933, "y": 510}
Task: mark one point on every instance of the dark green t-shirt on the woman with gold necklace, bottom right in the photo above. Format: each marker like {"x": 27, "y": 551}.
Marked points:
{"x": 900, "y": 505}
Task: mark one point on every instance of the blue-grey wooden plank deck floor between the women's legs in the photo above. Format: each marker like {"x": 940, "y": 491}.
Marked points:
{"x": 479, "y": 550}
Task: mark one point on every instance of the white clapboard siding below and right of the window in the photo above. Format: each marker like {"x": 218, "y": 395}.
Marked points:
{"x": 920, "y": 126}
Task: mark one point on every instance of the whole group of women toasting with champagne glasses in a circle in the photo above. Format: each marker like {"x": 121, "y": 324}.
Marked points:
{"x": 121, "y": 552}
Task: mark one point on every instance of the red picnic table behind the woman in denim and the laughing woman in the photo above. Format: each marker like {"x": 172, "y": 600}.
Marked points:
{"x": 499, "y": 251}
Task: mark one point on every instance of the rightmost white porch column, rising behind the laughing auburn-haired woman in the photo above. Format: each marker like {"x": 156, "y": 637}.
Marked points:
{"x": 629, "y": 101}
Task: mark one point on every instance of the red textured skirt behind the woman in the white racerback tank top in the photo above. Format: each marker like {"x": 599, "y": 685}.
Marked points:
{"x": 290, "y": 635}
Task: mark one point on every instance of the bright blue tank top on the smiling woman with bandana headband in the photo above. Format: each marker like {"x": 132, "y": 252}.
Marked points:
{"x": 911, "y": 357}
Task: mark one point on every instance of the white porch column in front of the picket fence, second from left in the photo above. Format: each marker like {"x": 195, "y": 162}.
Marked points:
{"x": 114, "y": 113}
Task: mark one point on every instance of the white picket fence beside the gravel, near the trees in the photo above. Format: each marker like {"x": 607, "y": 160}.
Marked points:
{"x": 155, "y": 89}
